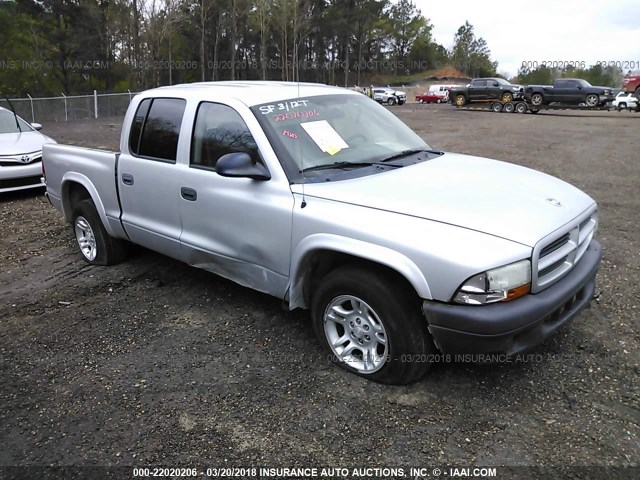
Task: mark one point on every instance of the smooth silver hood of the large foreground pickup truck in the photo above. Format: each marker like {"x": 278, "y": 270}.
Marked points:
{"x": 489, "y": 196}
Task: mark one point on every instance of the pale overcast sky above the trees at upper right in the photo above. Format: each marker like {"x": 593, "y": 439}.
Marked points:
{"x": 551, "y": 30}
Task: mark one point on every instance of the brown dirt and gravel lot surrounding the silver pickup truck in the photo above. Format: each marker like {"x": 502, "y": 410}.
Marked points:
{"x": 154, "y": 362}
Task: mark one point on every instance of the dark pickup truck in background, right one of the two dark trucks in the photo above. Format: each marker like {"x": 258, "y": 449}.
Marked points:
{"x": 568, "y": 91}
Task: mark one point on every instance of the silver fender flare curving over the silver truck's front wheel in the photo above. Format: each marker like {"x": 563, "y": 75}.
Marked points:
{"x": 312, "y": 244}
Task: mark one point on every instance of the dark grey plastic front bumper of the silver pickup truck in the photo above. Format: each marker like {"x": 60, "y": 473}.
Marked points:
{"x": 516, "y": 326}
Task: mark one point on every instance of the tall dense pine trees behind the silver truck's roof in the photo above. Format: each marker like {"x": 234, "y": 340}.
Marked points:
{"x": 76, "y": 46}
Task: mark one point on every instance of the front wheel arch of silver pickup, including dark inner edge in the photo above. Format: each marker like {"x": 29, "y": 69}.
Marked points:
{"x": 318, "y": 255}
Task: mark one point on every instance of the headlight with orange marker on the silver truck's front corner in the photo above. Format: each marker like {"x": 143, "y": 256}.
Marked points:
{"x": 496, "y": 285}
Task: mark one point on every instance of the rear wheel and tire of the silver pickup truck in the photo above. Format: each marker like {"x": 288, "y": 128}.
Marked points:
{"x": 95, "y": 244}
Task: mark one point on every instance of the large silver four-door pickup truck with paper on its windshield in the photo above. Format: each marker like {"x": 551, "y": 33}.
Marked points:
{"x": 323, "y": 198}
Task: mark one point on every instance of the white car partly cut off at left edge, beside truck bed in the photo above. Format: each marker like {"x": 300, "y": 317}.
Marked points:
{"x": 20, "y": 153}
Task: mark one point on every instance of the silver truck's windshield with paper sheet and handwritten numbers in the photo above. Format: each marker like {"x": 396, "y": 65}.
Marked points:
{"x": 313, "y": 131}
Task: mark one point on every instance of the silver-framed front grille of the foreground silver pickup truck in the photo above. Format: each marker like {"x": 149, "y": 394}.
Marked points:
{"x": 556, "y": 255}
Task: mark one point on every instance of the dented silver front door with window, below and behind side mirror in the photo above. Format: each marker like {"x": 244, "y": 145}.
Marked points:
{"x": 238, "y": 228}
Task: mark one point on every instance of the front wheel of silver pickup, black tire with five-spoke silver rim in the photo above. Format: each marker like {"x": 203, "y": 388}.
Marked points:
{"x": 371, "y": 326}
